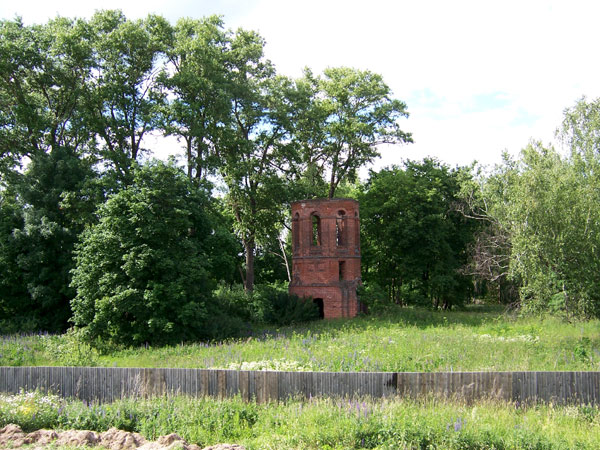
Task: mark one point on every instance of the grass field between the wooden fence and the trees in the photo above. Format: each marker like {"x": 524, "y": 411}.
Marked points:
{"x": 403, "y": 339}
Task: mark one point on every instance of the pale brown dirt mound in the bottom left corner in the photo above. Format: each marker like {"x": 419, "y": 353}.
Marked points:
{"x": 11, "y": 436}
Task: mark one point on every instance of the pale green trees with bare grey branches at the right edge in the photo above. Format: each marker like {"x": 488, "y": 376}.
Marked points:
{"x": 541, "y": 226}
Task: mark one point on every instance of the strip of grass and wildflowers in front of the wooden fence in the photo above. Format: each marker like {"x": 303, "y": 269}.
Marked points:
{"x": 320, "y": 423}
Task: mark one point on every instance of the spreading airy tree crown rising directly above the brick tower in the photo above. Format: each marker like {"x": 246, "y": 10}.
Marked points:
{"x": 352, "y": 113}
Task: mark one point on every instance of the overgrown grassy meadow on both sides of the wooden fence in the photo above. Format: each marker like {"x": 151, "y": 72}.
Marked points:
{"x": 402, "y": 339}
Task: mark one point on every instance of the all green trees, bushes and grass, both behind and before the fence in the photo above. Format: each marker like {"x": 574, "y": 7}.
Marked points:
{"x": 132, "y": 262}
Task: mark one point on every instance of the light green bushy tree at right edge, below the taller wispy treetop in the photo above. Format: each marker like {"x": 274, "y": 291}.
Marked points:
{"x": 554, "y": 220}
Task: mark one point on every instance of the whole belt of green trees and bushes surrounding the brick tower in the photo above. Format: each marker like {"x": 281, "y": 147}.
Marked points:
{"x": 92, "y": 234}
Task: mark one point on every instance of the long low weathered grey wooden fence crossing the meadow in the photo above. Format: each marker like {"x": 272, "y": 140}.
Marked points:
{"x": 107, "y": 384}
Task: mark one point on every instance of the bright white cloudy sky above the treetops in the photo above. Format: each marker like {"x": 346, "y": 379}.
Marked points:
{"x": 478, "y": 77}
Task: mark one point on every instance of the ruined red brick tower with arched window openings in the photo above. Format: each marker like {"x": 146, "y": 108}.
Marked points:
{"x": 326, "y": 255}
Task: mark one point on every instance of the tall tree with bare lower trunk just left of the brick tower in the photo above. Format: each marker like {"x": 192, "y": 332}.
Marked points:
{"x": 252, "y": 146}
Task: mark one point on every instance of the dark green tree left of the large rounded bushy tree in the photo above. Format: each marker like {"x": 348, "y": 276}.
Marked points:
{"x": 52, "y": 194}
